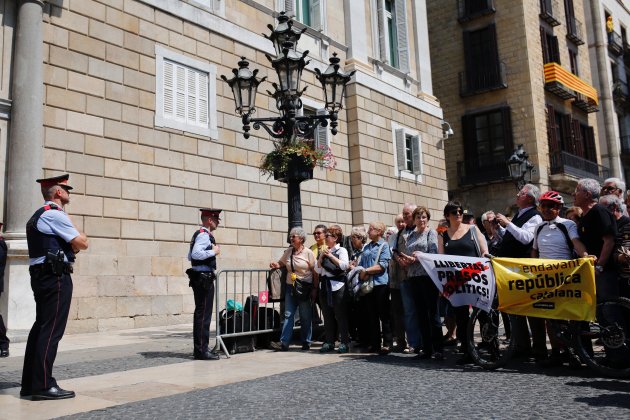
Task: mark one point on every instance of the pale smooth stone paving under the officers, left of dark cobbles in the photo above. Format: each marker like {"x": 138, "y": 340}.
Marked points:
{"x": 118, "y": 367}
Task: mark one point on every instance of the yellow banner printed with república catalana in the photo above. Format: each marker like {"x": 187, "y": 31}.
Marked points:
{"x": 557, "y": 289}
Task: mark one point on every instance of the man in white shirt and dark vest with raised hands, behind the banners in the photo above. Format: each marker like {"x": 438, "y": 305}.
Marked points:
{"x": 517, "y": 243}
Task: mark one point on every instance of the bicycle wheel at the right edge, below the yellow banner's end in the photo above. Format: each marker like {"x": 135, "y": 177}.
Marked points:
{"x": 604, "y": 344}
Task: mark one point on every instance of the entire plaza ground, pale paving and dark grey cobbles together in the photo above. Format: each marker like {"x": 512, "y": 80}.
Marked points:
{"x": 149, "y": 373}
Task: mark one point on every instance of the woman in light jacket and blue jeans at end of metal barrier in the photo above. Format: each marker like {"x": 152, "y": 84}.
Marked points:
{"x": 300, "y": 264}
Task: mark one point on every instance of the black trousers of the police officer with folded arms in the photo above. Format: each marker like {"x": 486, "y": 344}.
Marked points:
{"x": 52, "y": 305}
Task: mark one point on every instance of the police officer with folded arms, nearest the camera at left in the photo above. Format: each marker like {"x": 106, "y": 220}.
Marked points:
{"x": 53, "y": 242}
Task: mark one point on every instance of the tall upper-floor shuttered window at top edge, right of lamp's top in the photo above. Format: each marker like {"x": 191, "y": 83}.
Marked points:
{"x": 392, "y": 33}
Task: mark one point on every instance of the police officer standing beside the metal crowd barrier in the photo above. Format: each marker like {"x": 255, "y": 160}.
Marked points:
{"x": 203, "y": 258}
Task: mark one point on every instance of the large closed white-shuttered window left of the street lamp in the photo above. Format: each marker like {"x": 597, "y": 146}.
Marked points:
{"x": 185, "y": 93}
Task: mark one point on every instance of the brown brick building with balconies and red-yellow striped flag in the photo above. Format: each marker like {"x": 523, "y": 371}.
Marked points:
{"x": 505, "y": 73}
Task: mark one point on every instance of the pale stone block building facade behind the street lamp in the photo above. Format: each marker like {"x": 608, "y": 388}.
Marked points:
{"x": 133, "y": 108}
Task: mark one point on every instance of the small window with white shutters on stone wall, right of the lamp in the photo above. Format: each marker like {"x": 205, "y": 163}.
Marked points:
{"x": 407, "y": 153}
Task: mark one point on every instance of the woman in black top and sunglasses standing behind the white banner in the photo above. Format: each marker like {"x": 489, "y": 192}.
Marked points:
{"x": 464, "y": 240}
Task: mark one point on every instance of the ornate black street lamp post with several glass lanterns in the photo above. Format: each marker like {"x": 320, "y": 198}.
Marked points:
{"x": 288, "y": 128}
